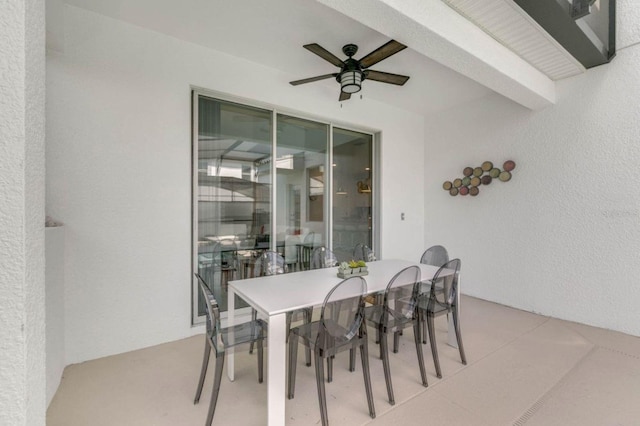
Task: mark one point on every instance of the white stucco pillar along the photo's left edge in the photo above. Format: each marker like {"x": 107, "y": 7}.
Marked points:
{"x": 22, "y": 335}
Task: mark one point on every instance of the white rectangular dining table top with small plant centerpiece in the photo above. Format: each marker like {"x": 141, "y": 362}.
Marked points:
{"x": 276, "y": 294}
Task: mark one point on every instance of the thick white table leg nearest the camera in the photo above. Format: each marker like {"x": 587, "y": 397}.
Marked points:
{"x": 276, "y": 369}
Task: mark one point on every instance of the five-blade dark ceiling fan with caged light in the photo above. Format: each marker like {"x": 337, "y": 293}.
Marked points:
{"x": 353, "y": 71}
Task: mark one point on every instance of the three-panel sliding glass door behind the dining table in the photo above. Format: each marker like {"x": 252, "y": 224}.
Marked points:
{"x": 269, "y": 181}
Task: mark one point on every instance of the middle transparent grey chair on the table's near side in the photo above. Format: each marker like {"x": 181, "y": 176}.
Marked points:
{"x": 396, "y": 312}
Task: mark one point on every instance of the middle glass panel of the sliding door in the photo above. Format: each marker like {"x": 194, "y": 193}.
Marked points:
{"x": 301, "y": 188}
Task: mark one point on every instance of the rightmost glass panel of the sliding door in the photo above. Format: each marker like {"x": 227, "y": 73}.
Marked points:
{"x": 352, "y": 198}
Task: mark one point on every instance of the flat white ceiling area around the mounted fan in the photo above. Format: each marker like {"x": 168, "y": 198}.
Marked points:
{"x": 272, "y": 33}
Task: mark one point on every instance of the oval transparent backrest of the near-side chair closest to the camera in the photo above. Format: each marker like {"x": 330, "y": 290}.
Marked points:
{"x": 342, "y": 313}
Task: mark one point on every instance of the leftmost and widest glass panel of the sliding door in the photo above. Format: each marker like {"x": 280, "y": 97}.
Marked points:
{"x": 233, "y": 195}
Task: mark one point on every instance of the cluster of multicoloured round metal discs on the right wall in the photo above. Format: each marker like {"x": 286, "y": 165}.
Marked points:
{"x": 474, "y": 177}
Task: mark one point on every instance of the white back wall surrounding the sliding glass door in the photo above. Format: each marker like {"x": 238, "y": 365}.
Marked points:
{"x": 119, "y": 173}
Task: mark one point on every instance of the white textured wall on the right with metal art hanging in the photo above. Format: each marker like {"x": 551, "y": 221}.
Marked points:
{"x": 563, "y": 236}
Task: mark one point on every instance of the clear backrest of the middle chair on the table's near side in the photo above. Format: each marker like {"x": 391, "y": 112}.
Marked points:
{"x": 401, "y": 296}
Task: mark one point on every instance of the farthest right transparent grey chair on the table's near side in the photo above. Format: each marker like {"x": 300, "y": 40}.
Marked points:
{"x": 442, "y": 302}
